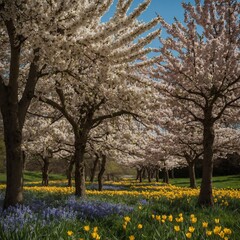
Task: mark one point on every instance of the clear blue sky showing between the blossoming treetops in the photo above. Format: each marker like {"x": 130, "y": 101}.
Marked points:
{"x": 168, "y": 9}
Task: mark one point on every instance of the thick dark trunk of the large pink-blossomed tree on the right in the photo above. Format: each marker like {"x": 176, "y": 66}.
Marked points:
{"x": 205, "y": 196}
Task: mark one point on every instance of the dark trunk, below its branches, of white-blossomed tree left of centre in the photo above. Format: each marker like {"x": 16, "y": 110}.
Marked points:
{"x": 80, "y": 188}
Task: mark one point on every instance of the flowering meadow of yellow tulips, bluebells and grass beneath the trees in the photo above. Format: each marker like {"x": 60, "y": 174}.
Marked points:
{"x": 125, "y": 210}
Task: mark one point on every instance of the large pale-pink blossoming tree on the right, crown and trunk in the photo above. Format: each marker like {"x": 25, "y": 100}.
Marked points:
{"x": 199, "y": 70}
